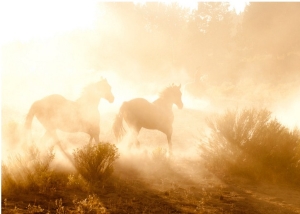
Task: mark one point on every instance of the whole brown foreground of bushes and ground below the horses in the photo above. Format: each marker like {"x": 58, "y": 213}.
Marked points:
{"x": 246, "y": 150}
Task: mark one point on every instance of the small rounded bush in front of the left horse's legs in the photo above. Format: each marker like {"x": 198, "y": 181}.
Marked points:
{"x": 94, "y": 162}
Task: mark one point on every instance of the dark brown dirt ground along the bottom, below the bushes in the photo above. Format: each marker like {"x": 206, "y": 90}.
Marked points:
{"x": 182, "y": 186}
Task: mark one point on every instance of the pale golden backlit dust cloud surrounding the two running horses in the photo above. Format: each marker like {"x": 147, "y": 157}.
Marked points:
{"x": 139, "y": 57}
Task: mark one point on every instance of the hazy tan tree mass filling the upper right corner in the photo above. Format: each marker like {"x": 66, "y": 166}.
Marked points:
{"x": 268, "y": 42}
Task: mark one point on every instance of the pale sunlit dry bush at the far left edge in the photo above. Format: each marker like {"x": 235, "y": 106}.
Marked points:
{"x": 29, "y": 172}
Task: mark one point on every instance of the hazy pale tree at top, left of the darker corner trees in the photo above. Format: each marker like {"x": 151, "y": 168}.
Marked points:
{"x": 211, "y": 38}
